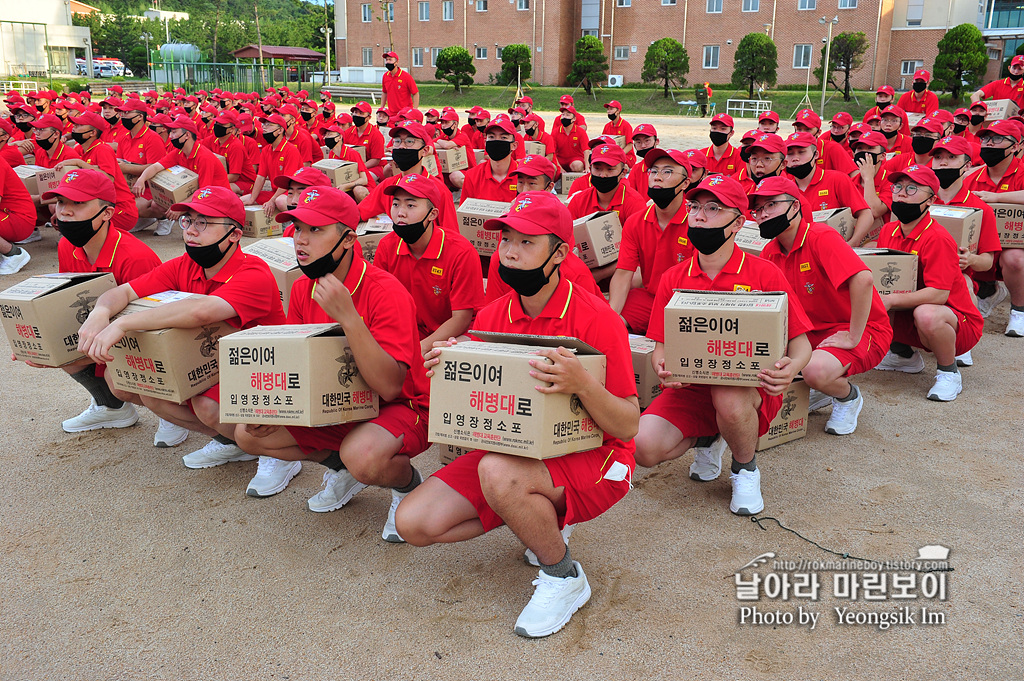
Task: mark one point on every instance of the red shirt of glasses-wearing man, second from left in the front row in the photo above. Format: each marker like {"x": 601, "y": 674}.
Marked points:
{"x": 245, "y": 282}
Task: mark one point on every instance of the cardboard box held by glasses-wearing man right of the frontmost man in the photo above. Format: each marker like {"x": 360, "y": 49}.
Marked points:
{"x": 724, "y": 338}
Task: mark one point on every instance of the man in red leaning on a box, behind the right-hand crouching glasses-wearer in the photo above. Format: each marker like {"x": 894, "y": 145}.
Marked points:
{"x": 826, "y": 189}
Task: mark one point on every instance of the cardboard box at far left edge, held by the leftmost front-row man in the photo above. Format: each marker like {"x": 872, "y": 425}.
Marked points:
{"x": 42, "y": 315}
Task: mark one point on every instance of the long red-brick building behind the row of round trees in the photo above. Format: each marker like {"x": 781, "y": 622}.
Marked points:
{"x": 903, "y": 34}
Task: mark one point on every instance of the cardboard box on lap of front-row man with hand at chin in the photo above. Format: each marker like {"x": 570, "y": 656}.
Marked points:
{"x": 285, "y": 375}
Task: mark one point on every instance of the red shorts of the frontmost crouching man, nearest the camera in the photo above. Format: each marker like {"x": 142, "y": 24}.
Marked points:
{"x": 588, "y": 493}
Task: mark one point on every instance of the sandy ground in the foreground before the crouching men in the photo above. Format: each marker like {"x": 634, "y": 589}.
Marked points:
{"x": 117, "y": 563}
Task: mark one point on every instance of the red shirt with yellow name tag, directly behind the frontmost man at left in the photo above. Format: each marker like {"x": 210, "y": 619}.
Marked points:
{"x": 445, "y": 279}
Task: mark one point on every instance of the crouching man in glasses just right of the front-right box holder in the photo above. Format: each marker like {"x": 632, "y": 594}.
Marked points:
{"x": 850, "y": 329}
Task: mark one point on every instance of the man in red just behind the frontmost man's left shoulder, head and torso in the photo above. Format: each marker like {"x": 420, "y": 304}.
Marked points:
{"x": 441, "y": 270}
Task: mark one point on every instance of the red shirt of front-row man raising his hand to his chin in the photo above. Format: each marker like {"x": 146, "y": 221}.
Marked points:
{"x": 388, "y": 310}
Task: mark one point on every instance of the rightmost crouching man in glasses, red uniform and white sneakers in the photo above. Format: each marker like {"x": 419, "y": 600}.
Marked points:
{"x": 940, "y": 317}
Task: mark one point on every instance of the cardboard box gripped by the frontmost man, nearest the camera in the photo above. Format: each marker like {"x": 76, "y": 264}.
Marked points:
{"x": 485, "y": 399}
